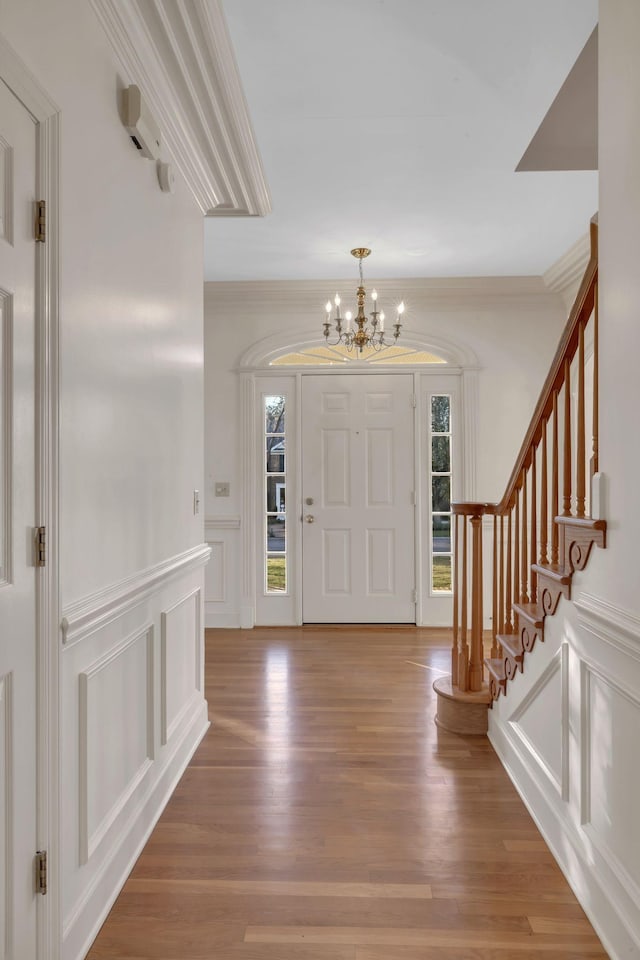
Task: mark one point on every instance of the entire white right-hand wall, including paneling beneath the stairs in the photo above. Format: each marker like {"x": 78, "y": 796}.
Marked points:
{"x": 584, "y": 719}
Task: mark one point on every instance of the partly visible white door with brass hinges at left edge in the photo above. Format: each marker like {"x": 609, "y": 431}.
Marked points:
{"x": 17, "y": 517}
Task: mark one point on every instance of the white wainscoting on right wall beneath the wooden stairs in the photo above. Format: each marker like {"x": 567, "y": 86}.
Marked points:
{"x": 582, "y": 687}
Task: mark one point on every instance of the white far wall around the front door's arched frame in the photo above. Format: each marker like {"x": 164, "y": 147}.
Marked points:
{"x": 510, "y": 325}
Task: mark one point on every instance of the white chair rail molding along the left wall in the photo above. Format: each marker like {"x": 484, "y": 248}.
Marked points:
{"x": 84, "y": 617}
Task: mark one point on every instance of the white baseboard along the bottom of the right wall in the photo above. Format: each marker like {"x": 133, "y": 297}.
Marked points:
{"x": 580, "y": 863}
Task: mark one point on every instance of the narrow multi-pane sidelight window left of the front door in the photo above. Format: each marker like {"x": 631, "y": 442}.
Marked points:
{"x": 275, "y": 495}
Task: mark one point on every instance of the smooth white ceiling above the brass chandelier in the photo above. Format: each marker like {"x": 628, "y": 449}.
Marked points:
{"x": 398, "y": 125}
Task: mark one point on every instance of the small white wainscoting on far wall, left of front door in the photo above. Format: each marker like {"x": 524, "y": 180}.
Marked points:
{"x": 222, "y": 577}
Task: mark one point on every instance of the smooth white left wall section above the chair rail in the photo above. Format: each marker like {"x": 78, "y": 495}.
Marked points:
{"x": 131, "y": 354}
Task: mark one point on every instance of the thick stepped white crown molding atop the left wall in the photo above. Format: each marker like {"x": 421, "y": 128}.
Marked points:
{"x": 180, "y": 56}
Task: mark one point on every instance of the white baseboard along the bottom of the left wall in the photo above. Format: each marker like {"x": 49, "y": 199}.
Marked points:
{"x": 103, "y": 892}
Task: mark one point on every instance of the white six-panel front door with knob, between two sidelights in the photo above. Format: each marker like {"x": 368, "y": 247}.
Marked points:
{"x": 358, "y": 499}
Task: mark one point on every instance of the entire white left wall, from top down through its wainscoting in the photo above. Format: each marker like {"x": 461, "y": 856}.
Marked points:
{"x": 131, "y": 454}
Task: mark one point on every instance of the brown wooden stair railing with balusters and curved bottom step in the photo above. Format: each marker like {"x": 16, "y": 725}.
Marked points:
{"x": 541, "y": 531}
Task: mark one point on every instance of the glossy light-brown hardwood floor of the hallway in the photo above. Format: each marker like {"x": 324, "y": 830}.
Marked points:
{"x": 325, "y": 817}
